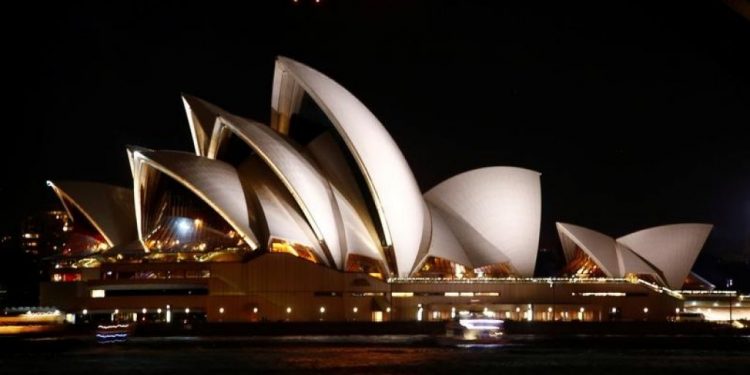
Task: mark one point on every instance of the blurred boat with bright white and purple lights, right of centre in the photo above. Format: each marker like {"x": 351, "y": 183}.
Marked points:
{"x": 473, "y": 329}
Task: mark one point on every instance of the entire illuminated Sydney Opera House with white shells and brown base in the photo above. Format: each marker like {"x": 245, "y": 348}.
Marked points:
{"x": 319, "y": 217}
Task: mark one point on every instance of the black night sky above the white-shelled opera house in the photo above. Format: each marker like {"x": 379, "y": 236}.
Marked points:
{"x": 634, "y": 112}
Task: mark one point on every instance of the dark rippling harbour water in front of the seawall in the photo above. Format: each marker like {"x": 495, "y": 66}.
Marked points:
{"x": 379, "y": 354}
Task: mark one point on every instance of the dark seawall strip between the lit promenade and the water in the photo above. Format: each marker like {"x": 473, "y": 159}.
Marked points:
{"x": 435, "y": 329}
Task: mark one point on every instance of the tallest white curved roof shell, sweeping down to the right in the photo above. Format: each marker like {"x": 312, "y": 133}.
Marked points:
{"x": 401, "y": 210}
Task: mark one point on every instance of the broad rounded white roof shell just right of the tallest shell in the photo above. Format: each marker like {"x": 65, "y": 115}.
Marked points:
{"x": 495, "y": 213}
